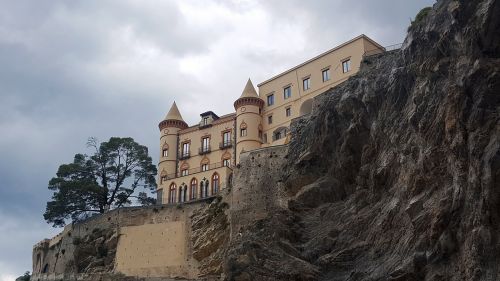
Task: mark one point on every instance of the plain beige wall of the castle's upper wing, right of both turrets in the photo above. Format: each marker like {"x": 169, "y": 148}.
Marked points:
{"x": 352, "y": 50}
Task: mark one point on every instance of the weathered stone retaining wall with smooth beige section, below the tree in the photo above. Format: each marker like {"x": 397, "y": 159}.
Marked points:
{"x": 137, "y": 241}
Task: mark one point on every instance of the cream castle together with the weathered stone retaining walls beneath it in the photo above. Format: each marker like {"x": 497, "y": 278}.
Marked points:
{"x": 197, "y": 162}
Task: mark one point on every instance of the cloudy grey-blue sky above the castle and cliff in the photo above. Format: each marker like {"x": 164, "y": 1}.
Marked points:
{"x": 74, "y": 69}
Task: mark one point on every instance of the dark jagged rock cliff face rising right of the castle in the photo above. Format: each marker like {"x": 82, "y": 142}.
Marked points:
{"x": 396, "y": 173}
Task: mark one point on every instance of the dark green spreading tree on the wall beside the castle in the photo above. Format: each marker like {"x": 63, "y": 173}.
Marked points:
{"x": 107, "y": 179}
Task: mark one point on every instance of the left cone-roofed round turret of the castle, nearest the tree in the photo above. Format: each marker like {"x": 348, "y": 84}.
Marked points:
{"x": 169, "y": 128}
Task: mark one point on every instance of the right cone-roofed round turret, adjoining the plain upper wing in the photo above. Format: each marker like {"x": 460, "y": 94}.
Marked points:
{"x": 248, "y": 120}
